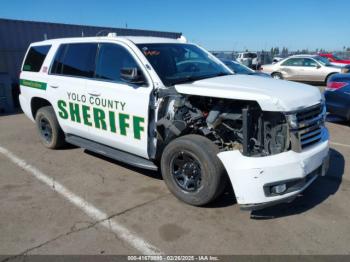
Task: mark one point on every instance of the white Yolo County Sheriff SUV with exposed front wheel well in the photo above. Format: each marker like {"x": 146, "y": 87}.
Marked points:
{"x": 153, "y": 102}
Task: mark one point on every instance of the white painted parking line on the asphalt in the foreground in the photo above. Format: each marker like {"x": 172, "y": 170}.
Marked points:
{"x": 122, "y": 232}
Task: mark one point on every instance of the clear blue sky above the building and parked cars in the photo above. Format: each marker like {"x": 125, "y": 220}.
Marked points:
{"x": 217, "y": 25}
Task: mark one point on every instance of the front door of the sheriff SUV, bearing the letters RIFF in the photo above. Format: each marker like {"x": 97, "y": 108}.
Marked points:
{"x": 119, "y": 110}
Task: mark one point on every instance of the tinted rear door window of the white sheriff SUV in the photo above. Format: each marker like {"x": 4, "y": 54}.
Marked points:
{"x": 75, "y": 60}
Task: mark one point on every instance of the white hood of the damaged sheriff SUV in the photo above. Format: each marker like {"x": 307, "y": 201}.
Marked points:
{"x": 271, "y": 94}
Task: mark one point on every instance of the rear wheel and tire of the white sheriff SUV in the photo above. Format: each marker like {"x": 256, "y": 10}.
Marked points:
{"x": 50, "y": 132}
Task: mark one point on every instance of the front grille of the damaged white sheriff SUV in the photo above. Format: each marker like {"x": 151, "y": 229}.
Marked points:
{"x": 308, "y": 130}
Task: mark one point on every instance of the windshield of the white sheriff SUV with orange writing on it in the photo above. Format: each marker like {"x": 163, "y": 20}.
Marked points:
{"x": 181, "y": 63}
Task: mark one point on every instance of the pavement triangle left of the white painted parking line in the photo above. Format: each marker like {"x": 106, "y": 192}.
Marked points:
{"x": 33, "y": 219}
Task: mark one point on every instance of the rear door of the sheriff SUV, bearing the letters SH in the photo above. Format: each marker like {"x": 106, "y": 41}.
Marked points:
{"x": 72, "y": 65}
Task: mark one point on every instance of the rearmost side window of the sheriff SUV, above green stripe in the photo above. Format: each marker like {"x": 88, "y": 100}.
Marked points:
{"x": 35, "y": 58}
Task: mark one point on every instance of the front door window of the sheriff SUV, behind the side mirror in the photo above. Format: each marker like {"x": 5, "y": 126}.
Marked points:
{"x": 111, "y": 59}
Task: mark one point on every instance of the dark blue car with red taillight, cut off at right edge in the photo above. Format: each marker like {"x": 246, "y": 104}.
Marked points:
{"x": 338, "y": 95}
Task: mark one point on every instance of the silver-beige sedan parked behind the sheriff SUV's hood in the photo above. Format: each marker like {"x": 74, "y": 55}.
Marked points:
{"x": 304, "y": 68}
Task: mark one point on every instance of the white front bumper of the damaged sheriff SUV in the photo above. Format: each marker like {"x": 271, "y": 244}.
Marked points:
{"x": 251, "y": 176}
